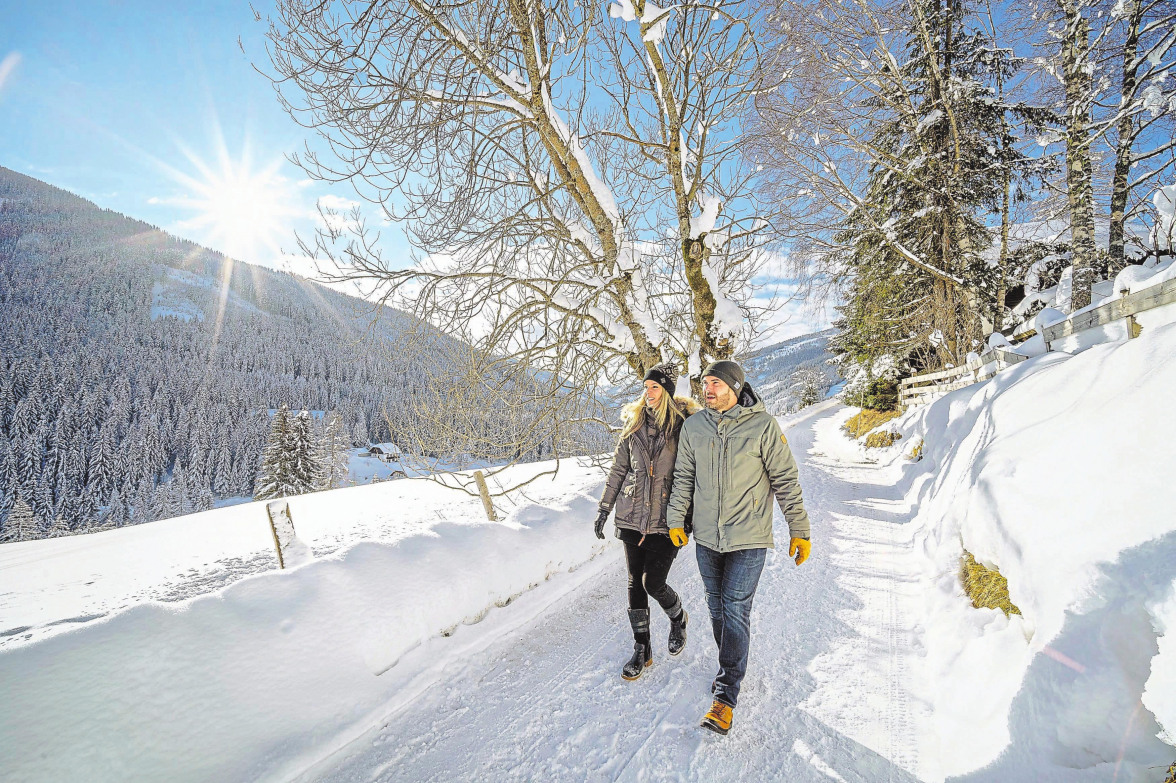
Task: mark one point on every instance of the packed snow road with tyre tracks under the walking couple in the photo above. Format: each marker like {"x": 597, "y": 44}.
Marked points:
{"x": 827, "y": 697}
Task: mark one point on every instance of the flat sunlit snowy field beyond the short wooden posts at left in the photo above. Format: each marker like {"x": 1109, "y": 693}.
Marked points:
{"x": 57, "y": 585}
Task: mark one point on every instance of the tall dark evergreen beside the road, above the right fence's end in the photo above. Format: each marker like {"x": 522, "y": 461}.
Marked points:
{"x": 943, "y": 144}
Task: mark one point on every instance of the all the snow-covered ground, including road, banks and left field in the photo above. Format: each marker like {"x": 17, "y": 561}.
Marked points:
{"x": 424, "y": 644}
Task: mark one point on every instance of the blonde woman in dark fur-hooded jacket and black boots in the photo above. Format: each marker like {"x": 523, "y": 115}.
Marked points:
{"x": 639, "y": 485}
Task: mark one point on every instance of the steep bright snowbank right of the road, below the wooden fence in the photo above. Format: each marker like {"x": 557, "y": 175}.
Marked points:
{"x": 1057, "y": 472}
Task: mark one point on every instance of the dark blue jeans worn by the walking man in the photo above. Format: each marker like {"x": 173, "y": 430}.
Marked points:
{"x": 731, "y": 580}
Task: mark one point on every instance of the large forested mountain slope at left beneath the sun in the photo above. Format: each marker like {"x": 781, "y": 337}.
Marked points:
{"x": 141, "y": 371}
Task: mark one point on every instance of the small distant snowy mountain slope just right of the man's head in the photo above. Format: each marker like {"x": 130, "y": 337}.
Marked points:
{"x": 771, "y": 371}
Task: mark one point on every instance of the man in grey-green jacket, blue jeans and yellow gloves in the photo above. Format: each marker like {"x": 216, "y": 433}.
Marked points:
{"x": 732, "y": 459}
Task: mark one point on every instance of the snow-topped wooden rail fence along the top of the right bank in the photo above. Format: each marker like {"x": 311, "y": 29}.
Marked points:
{"x": 923, "y": 390}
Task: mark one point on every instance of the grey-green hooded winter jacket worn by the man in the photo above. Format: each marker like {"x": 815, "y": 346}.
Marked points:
{"x": 732, "y": 464}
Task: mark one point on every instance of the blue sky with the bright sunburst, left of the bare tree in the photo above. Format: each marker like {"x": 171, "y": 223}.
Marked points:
{"x": 153, "y": 110}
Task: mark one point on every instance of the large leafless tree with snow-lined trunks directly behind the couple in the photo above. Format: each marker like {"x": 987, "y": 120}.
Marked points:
{"x": 574, "y": 183}
